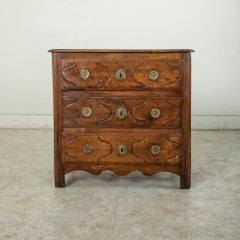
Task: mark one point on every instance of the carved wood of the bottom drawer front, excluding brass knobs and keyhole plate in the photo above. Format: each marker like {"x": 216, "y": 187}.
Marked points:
{"x": 139, "y": 150}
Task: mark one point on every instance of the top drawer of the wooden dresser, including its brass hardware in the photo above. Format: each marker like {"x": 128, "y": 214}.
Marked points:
{"x": 121, "y": 71}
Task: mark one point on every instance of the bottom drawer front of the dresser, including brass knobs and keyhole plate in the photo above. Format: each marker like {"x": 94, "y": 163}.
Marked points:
{"x": 107, "y": 148}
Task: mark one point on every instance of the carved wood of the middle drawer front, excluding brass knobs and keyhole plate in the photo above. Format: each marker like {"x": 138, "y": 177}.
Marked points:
{"x": 138, "y": 113}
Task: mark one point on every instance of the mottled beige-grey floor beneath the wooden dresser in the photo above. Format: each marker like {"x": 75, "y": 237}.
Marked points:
{"x": 109, "y": 207}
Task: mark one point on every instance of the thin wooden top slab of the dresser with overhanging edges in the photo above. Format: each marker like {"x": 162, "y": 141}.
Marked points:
{"x": 121, "y": 50}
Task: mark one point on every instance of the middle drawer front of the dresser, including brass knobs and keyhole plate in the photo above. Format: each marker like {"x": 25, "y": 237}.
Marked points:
{"x": 122, "y": 112}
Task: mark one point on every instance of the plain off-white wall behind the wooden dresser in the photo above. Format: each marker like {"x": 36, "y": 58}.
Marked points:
{"x": 29, "y": 28}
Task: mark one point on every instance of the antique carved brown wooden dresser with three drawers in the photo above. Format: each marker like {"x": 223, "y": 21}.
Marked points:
{"x": 122, "y": 110}
